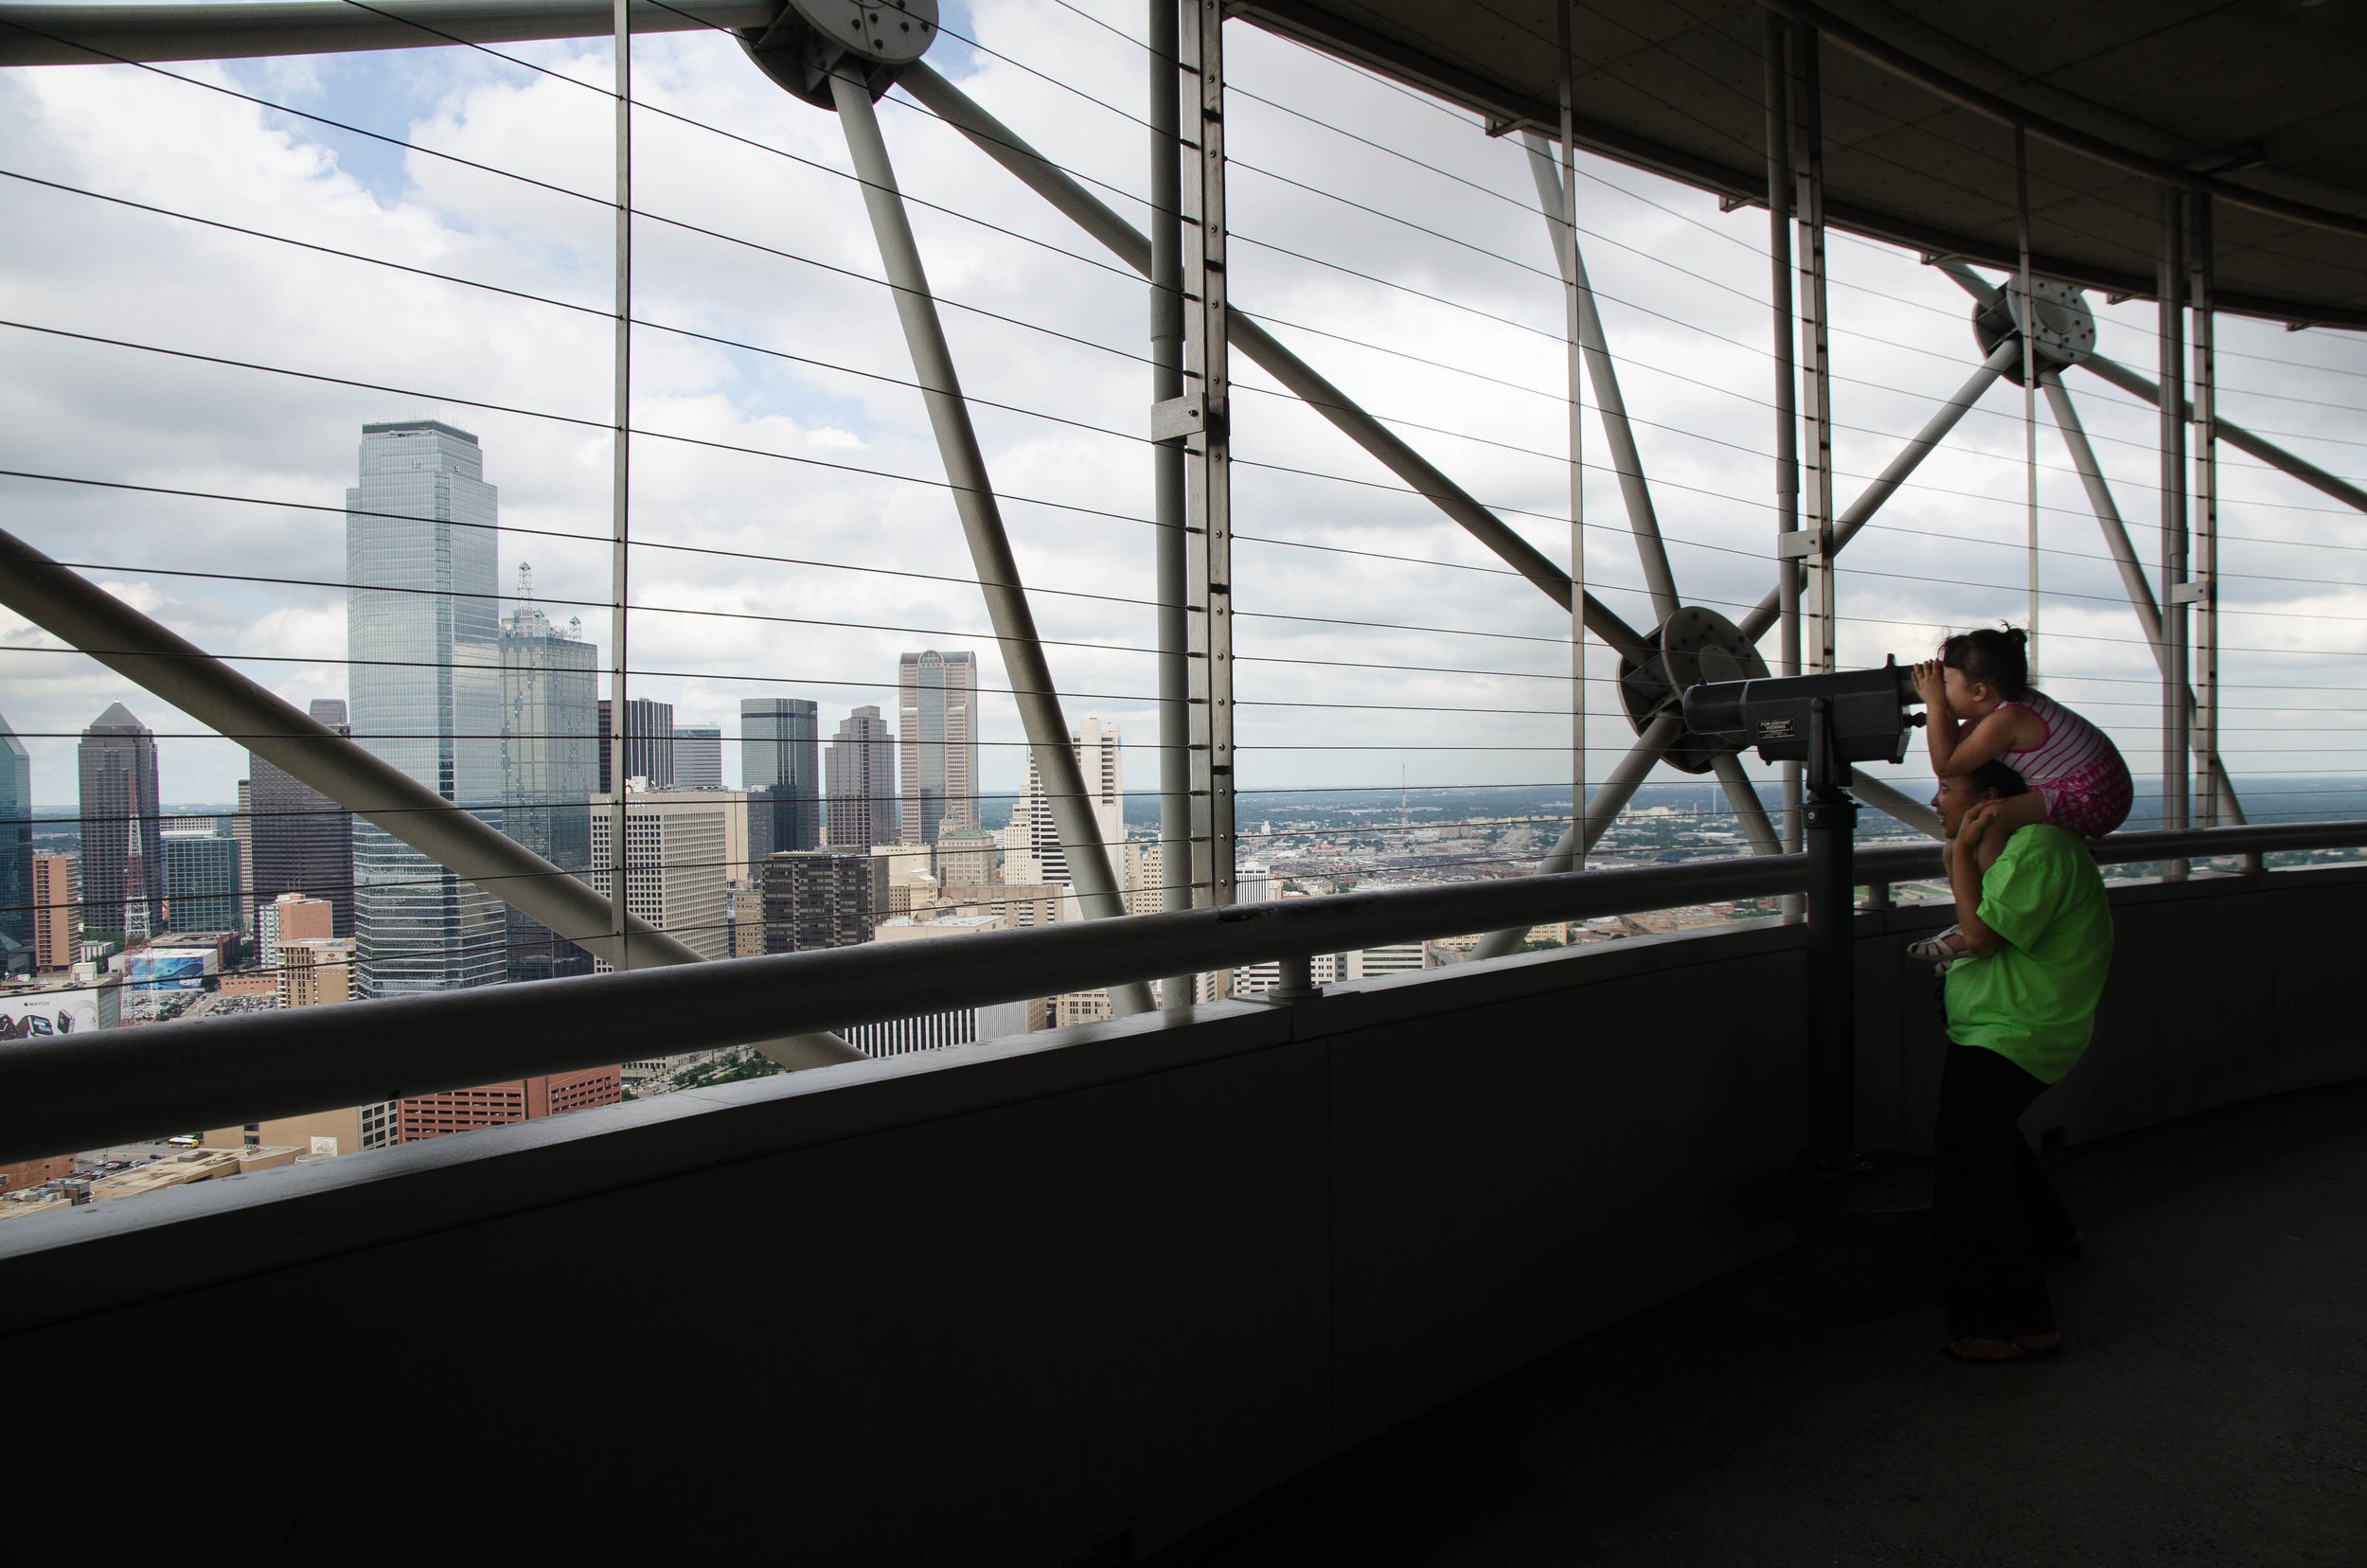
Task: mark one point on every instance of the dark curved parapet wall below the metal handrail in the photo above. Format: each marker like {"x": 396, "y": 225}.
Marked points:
{"x": 1010, "y": 1302}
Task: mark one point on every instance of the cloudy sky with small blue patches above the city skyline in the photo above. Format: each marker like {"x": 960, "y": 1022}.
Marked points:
{"x": 789, "y": 508}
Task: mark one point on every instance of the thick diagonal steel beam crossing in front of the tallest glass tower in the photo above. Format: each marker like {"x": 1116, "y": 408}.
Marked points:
{"x": 91, "y": 619}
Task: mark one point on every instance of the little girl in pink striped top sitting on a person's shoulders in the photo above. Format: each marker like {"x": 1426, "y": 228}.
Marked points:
{"x": 1980, "y": 709}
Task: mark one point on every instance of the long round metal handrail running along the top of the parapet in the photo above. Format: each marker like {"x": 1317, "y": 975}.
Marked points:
{"x": 93, "y": 1091}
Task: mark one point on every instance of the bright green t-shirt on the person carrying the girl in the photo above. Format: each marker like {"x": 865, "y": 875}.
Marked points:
{"x": 2034, "y": 998}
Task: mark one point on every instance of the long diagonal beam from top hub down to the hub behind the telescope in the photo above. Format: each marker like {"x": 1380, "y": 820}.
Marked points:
{"x": 1130, "y": 245}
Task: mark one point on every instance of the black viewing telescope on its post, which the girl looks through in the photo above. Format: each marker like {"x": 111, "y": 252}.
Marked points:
{"x": 1829, "y": 724}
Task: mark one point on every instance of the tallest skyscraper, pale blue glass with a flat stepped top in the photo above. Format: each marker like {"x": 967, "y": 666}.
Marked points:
{"x": 427, "y": 695}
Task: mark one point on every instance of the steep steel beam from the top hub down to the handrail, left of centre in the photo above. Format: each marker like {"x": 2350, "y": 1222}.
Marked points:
{"x": 981, "y": 525}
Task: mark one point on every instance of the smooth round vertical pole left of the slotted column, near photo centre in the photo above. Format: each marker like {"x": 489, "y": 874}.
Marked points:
{"x": 1173, "y": 567}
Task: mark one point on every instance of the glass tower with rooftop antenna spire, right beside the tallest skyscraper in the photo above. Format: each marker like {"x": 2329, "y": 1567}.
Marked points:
{"x": 550, "y": 769}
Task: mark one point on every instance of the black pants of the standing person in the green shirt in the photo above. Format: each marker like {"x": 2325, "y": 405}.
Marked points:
{"x": 1992, "y": 1209}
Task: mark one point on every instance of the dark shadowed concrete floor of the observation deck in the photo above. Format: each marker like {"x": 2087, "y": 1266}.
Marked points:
{"x": 2210, "y": 1408}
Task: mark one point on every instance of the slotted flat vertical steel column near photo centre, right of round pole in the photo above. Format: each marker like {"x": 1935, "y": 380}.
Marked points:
{"x": 1211, "y": 473}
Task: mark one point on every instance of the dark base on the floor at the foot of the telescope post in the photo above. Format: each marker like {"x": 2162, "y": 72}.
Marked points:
{"x": 1869, "y": 1238}
